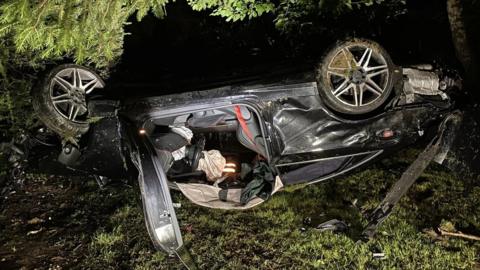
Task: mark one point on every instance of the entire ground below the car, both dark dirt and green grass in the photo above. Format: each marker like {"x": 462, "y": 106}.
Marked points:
{"x": 49, "y": 222}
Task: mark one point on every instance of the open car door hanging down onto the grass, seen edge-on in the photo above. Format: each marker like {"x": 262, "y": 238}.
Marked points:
{"x": 158, "y": 209}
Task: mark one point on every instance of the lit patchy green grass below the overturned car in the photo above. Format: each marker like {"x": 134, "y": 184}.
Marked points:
{"x": 276, "y": 235}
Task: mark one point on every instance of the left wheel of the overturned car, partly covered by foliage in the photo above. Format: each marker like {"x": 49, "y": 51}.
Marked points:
{"x": 60, "y": 98}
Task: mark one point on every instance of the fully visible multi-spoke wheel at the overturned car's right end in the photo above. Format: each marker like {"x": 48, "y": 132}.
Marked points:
{"x": 355, "y": 77}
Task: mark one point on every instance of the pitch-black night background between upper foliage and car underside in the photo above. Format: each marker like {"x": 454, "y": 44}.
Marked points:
{"x": 190, "y": 50}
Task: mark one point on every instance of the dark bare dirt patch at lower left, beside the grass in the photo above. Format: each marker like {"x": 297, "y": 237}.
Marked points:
{"x": 46, "y": 222}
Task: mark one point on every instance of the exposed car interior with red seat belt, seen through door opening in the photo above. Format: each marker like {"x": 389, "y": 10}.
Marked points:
{"x": 216, "y": 147}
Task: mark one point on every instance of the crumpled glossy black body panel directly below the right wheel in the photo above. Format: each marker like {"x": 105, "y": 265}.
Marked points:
{"x": 303, "y": 125}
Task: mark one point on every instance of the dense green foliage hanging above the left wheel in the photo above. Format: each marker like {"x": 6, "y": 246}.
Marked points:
{"x": 88, "y": 31}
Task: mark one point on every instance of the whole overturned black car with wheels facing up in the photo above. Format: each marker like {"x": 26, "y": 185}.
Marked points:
{"x": 234, "y": 146}
